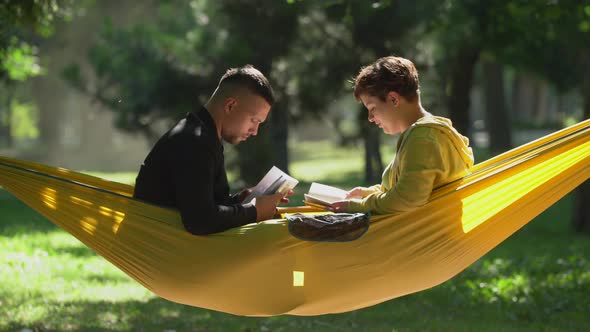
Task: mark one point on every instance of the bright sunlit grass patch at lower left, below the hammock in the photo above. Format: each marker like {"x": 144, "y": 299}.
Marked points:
{"x": 43, "y": 271}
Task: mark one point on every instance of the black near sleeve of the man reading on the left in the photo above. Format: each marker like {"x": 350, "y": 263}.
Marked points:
{"x": 193, "y": 174}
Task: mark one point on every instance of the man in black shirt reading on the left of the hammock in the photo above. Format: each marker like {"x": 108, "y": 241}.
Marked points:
{"x": 185, "y": 169}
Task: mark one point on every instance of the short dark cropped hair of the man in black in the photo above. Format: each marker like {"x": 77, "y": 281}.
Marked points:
{"x": 251, "y": 79}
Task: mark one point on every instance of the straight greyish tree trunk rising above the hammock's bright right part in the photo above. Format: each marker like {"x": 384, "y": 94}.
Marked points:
{"x": 497, "y": 119}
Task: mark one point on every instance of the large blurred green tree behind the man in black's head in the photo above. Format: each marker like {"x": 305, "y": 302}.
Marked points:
{"x": 158, "y": 71}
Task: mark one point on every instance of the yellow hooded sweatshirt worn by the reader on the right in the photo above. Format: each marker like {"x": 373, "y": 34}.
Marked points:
{"x": 429, "y": 154}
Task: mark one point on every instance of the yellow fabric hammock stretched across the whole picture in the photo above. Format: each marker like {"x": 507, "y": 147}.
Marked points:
{"x": 262, "y": 270}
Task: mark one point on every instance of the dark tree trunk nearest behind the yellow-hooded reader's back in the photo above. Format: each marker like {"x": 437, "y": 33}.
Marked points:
{"x": 461, "y": 80}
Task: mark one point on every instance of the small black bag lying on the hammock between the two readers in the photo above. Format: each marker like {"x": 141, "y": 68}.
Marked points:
{"x": 337, "y": 227}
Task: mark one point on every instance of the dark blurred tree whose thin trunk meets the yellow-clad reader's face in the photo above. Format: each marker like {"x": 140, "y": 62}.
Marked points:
{"x": 339, "y": 38}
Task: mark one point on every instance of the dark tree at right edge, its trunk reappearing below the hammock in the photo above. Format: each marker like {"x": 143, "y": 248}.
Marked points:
{"x": 559, "y": 37}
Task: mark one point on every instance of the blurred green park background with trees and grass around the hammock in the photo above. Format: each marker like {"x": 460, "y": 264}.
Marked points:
{"x": 90, "y": 85}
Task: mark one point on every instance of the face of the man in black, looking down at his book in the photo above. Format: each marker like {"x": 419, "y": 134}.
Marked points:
{"x": 243, "y": 118}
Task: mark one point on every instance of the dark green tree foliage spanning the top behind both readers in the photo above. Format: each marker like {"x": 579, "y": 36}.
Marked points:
{"x": 167, "y": 66}
